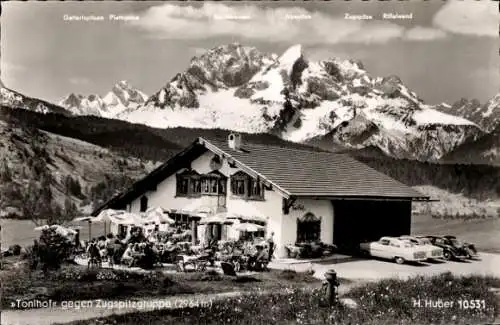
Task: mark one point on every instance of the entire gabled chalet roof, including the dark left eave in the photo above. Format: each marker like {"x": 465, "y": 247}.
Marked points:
{"x": 292, "y": 172}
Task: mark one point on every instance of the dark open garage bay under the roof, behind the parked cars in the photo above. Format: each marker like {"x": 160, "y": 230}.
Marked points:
{"x": 357, "y": 221}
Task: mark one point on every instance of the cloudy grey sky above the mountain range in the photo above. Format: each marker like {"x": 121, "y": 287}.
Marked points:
{"x": 446, "y": 51}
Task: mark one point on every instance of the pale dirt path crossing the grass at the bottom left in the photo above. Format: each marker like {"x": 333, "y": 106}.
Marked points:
{"x": 103, "y": 308}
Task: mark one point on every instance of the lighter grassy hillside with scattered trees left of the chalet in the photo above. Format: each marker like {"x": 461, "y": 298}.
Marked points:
{"x": 48, "y": 175}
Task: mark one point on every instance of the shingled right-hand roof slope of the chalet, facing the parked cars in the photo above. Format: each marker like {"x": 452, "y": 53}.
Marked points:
{"x": 299, "y": 172}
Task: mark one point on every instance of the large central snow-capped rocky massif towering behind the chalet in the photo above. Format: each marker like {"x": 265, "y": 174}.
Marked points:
{"x": 239, "y": 88}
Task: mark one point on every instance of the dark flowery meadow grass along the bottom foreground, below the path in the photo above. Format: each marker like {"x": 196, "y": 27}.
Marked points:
{"x": 384, "y": 302}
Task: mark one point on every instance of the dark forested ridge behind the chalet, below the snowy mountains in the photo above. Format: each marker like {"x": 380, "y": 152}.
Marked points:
{"x": 136, "y": 140}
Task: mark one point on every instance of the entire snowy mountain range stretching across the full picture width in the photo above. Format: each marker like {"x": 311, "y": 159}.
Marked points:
{"x": 334, "y": 102}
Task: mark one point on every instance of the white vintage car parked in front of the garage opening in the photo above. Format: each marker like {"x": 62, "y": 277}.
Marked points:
{"x": 394, "y": 249}
